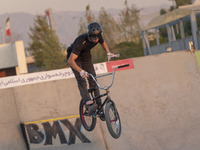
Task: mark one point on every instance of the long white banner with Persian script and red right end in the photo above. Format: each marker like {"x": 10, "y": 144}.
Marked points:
{"x": 38, "y": 77}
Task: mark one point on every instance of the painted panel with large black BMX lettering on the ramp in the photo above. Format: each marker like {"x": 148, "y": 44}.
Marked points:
{"x": 53, "y": 133}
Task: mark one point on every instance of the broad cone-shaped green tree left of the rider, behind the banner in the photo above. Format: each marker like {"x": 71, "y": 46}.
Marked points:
{"x": 45, "y": 45}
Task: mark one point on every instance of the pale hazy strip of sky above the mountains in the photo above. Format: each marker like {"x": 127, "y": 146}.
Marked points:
{"x": 38, "y": 6}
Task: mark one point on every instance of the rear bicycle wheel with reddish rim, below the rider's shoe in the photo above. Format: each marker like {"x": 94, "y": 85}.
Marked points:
{"x": 88, "y": 121}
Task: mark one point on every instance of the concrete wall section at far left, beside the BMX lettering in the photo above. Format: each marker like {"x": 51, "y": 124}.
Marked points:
{"x": 10, "y": 131}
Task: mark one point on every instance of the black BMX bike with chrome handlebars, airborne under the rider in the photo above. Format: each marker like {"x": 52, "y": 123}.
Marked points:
{"x": 111, "y": 114}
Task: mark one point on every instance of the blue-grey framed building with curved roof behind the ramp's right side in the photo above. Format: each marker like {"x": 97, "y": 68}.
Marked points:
{"x": 175, "y": 23}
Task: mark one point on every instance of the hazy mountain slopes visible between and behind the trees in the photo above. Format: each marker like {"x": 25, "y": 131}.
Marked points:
{"x": 67, "y": 23}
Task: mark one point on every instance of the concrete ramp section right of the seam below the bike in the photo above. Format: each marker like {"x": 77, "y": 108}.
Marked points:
{"x": 159, "y": 103}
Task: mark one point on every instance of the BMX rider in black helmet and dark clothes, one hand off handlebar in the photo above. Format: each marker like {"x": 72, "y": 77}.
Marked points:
{"x": 79, "y": 59}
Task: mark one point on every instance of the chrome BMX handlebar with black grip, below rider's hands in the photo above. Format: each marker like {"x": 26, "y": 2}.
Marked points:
{"x": 112, "y": 73}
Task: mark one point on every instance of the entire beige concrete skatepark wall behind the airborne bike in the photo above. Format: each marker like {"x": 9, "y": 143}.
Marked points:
{"x": 158, "y": 102}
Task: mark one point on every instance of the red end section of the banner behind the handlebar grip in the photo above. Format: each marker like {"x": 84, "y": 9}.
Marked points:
{"x": 112, "y": 64}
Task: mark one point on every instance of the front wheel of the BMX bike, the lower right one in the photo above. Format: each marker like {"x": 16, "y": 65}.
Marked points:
{"x": 113, "y": 120}
